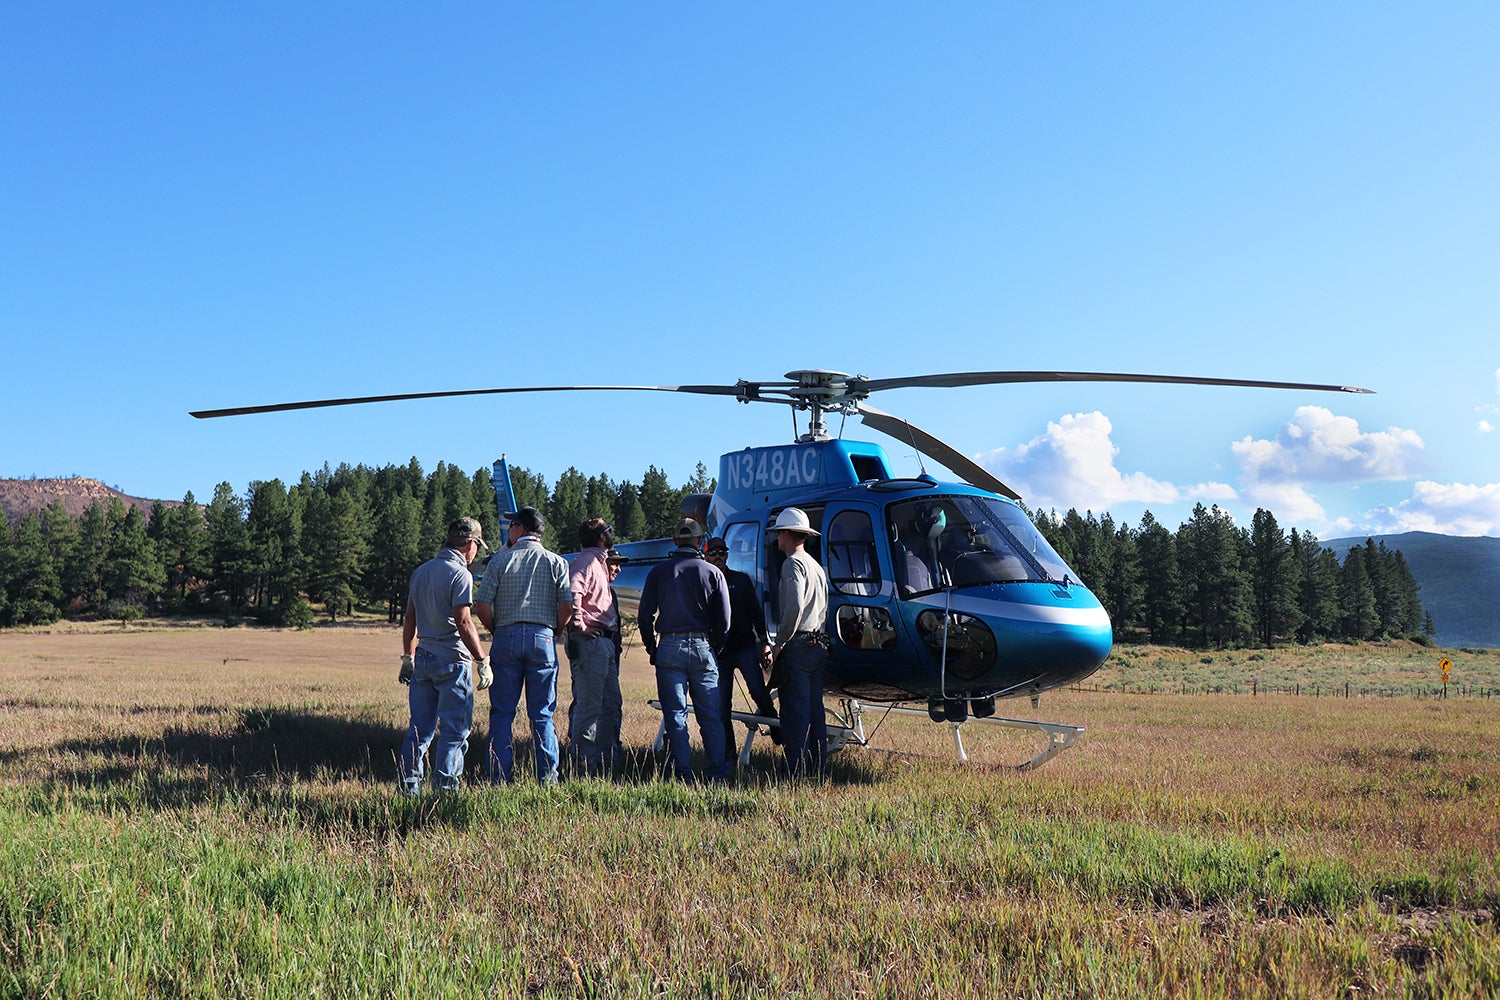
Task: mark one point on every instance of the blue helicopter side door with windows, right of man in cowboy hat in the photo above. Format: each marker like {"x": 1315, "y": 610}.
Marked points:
{"x": 859, "y": 590}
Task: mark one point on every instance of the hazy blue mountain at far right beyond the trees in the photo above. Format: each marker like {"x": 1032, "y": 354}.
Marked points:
{"x": 1460, "y": 581}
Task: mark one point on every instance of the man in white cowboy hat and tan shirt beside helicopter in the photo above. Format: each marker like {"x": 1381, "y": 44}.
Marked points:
{"x": 803, "y": 639}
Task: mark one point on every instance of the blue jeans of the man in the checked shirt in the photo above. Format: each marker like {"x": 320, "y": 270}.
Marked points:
{"x": 523, "y": 657}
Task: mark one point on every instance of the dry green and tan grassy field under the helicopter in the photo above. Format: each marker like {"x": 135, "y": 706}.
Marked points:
{"x": 212, "y": 812}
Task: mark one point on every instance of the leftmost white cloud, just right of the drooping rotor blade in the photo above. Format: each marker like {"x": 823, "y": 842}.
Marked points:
{"x": 1073, "y": 466}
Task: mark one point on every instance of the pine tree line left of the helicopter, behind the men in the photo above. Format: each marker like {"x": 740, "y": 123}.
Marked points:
{"x": 335, "y": 539}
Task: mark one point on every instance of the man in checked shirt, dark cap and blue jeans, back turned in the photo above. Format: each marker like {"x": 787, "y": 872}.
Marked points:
{"x": 524, "y": 602}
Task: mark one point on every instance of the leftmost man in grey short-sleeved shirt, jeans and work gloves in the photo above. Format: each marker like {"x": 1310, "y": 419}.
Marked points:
{"x": 439, "y": 639}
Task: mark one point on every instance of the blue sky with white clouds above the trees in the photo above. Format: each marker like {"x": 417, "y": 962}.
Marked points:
{"x": 212, "y": 206}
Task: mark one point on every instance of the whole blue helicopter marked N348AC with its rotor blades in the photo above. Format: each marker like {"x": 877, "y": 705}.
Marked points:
{"x": 944, "y": 597}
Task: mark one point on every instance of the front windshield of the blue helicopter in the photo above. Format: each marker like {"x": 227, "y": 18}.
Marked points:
{"x": 967, "y": 542}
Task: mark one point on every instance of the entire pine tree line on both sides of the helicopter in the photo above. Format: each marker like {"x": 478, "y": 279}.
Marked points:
{"x": 353, "y": 534}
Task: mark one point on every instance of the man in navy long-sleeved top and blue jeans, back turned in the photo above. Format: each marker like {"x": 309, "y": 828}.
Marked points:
{"x": 686, "y": 602}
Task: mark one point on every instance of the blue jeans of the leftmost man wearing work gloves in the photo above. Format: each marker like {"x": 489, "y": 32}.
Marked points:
{"x": 442, "y": 699}
